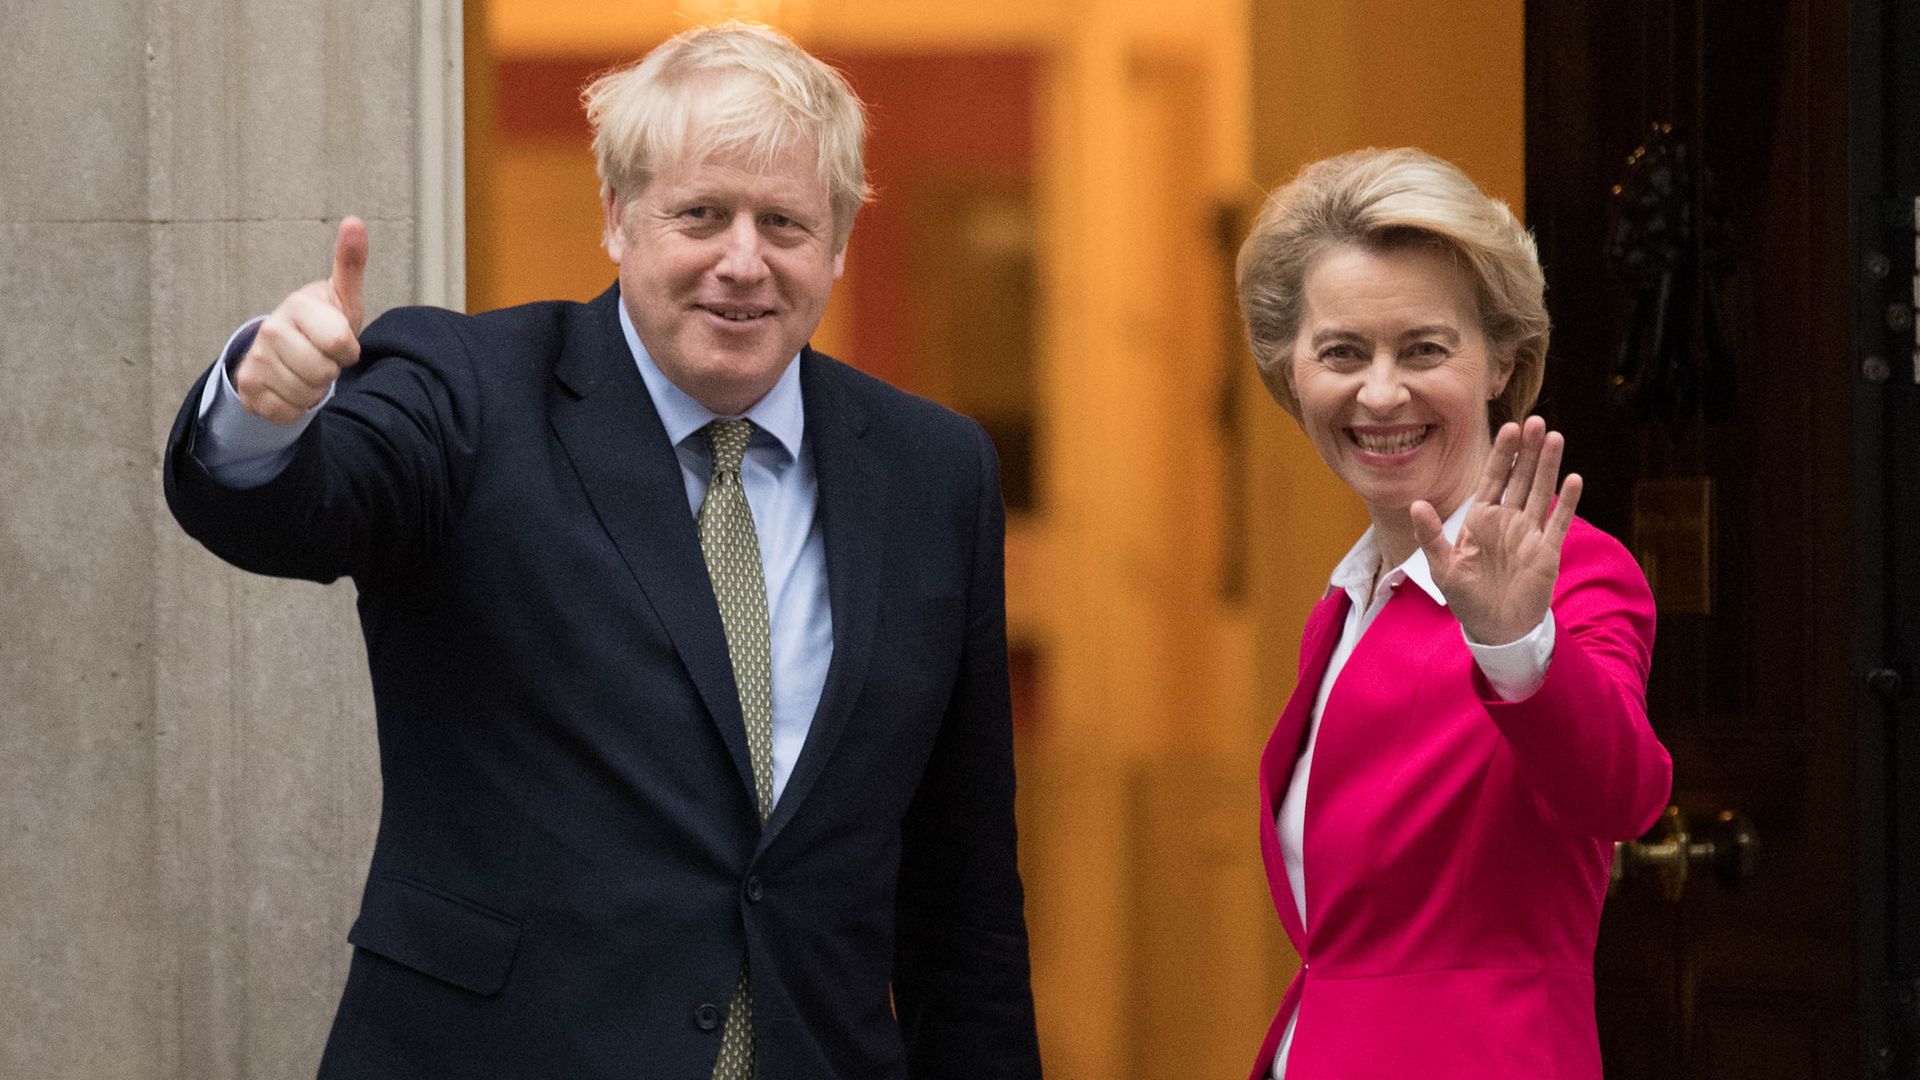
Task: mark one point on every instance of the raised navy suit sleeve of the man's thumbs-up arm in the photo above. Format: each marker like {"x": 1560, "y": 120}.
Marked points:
{"x": 373, "y": 481}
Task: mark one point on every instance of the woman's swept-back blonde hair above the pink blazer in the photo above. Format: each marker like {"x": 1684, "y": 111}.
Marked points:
{"x": 1391, "y": 199}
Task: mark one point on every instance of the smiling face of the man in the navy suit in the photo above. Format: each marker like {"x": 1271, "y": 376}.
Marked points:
{"x": 727, "y": 272}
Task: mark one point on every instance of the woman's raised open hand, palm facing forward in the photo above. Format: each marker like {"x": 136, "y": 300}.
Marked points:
{"x": 1499, "y": 576}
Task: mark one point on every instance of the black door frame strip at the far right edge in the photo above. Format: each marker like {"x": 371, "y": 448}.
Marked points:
{"x": 1884, "y": 185}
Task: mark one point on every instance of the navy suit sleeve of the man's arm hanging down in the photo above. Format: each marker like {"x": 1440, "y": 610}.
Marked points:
{"x": 961, "y": 979}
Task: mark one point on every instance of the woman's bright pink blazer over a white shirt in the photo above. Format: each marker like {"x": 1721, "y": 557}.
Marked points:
{"x": 1458, "y": 847}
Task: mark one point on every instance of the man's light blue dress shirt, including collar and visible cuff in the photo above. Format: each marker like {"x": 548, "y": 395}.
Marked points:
{"x": 782, "y": 487}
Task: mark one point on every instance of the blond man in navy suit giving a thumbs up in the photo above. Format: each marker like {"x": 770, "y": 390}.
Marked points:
{"x": 686, "y": 641}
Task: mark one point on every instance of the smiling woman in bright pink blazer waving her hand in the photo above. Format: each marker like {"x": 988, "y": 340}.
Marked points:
{"x": 1468, "y": 737}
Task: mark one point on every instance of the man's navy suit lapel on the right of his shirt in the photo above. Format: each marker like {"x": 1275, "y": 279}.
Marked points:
{"x": 853, "y": 528}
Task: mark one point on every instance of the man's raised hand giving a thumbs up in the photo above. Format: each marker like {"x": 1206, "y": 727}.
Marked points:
{"x": 310, "y": 337}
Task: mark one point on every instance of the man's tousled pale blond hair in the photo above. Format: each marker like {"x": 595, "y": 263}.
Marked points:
{"x": 736, "y": 89}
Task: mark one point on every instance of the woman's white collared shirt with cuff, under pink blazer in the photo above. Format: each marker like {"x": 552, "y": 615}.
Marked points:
{"x": 1514, "y": 672}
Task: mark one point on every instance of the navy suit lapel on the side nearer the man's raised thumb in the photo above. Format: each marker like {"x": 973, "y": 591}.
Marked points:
{"x": 613, "y": 437}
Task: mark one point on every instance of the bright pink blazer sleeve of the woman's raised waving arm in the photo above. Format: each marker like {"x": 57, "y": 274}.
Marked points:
{"x": 1583, "y": 741}
